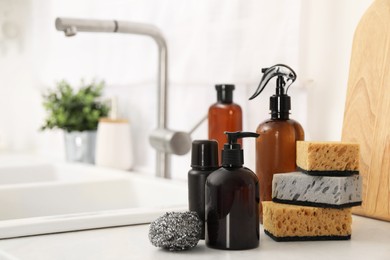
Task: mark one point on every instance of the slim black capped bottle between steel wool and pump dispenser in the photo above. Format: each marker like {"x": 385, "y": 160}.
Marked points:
{"x": 204, "y": 160}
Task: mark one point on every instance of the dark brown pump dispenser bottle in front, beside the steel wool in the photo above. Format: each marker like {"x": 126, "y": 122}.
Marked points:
{"x": 232, "y": 200}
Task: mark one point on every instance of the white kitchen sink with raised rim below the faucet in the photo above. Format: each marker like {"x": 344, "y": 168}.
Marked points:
{"x": 78, "y": 197}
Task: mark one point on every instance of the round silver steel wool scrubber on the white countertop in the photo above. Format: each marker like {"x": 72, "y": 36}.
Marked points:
{"x": 176, "y": 231}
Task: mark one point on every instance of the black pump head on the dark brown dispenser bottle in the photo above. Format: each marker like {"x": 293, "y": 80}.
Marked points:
{"x": 232, "y": 154}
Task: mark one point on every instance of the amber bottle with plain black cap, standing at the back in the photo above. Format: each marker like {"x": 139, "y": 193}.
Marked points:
{"x": 224, "y": 116}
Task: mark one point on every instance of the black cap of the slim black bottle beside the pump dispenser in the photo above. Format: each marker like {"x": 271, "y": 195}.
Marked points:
{"x": 204, "y": 154}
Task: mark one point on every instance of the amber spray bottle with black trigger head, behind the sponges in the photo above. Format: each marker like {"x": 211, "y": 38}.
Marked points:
{"x": 276, "y": 149}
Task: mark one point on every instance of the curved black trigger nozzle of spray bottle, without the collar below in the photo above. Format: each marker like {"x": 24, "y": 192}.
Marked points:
{"x": 283, "y": 72}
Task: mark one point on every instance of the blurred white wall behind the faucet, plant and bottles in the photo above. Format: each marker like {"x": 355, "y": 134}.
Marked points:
{"x": 209, "y": 42}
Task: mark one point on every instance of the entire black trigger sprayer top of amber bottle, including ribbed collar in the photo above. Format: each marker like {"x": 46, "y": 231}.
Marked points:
{"x": 280, "y": 103}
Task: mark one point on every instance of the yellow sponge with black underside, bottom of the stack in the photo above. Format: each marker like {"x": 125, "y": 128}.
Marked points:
{"x": 285, "y": 222}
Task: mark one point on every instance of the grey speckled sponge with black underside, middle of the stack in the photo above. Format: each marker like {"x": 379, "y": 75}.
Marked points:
{"x": 318, "y": 191}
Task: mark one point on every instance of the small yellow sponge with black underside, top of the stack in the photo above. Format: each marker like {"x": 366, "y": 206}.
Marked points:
{"x": 328, "y": 158}
